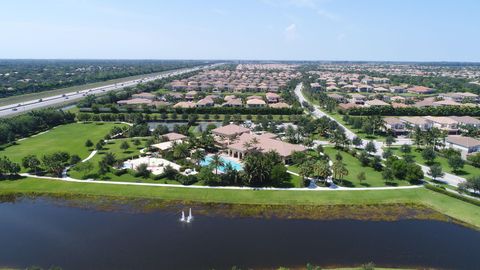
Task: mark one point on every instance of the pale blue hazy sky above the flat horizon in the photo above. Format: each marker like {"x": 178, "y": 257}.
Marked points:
{"x": 368, "y": 30}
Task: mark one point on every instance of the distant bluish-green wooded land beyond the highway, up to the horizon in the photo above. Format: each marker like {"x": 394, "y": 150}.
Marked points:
{"x": 29, "y": 76}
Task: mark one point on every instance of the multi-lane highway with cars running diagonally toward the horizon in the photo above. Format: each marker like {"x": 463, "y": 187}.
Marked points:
{"x": 22, "y": 107}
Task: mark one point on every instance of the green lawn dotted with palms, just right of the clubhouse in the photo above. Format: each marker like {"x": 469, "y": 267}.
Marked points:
{"x": 354, "y": 166}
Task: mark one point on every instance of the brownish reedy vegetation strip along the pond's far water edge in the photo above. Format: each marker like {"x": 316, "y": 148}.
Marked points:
{"x": 365, "y": 212}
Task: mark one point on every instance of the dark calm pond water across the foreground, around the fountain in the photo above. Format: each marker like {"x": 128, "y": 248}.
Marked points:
{"x": 43, "y": 233}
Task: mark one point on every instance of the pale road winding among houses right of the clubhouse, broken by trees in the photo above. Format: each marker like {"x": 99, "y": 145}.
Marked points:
{"x": 448, "y": 178}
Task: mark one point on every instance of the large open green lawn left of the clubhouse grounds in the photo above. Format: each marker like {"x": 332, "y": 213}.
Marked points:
{"x": 69, "y": 138}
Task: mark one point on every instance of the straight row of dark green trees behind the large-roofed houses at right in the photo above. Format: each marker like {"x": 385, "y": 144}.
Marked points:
{"x": 415, "y": 111}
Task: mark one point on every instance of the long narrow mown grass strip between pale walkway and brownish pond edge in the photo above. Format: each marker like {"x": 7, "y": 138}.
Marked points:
{"x": 452, "y": 207}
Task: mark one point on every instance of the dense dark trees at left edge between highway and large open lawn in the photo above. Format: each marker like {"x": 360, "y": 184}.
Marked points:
{"x": 30, "y": 123}
